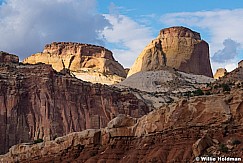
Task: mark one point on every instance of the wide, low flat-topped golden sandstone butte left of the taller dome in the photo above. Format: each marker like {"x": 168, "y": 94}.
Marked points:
{"x": 87, "y": 62}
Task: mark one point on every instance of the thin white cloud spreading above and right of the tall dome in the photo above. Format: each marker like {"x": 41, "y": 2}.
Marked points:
{"x": 219, "y": 25}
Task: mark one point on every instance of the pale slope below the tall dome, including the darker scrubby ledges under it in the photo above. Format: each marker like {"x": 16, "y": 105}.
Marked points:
{"x": 160, "y": 87}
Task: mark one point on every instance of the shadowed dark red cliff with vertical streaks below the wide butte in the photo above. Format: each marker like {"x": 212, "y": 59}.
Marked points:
{"x": 36, "y": 102}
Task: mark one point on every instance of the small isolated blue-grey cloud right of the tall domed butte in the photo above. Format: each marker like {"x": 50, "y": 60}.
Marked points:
{"x": 228, "y": 52}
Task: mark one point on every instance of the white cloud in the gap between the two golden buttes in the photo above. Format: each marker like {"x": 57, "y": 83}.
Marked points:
{"x": 127, "y": 37}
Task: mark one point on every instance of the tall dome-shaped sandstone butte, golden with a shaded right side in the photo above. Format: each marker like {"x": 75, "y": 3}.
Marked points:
{"x": 176, "y": 47}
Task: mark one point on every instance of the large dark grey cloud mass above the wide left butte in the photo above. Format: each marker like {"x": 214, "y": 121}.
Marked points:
{"x": 27, "y": 25}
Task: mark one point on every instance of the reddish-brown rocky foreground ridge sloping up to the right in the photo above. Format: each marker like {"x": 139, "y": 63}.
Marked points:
{"x": 200, "y": 126}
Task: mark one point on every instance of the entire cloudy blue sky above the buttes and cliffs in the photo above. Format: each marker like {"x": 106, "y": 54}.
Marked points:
{"x": 123, "y": 26}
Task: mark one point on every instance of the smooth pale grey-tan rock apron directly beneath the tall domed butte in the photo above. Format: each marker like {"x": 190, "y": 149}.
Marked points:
{"x": 166, "y": 80}
